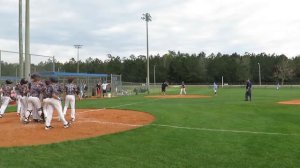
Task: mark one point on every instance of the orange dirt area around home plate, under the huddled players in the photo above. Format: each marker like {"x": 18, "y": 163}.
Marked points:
{"x": 89, "y": 123}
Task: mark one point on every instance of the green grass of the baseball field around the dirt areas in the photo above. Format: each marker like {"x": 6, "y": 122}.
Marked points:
{"x": 156, "y": 146}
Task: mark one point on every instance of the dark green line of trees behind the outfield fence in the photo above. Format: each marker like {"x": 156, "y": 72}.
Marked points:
{"x": 191, "y": 68}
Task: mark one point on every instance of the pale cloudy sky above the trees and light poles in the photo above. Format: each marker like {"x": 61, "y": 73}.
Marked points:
{"x": 115, "y": 27}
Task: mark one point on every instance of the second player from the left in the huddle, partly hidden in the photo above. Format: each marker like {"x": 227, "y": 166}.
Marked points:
{"x": 23, "y": 91}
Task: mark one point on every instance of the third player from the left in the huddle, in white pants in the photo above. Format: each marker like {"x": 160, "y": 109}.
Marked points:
{"x": 34, "y": 102}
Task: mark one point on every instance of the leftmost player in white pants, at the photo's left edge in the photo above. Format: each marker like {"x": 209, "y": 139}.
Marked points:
{"x": 6, "y": 91}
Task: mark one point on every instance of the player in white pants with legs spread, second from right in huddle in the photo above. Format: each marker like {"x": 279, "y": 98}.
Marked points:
{"x": 52, "y": 101}
